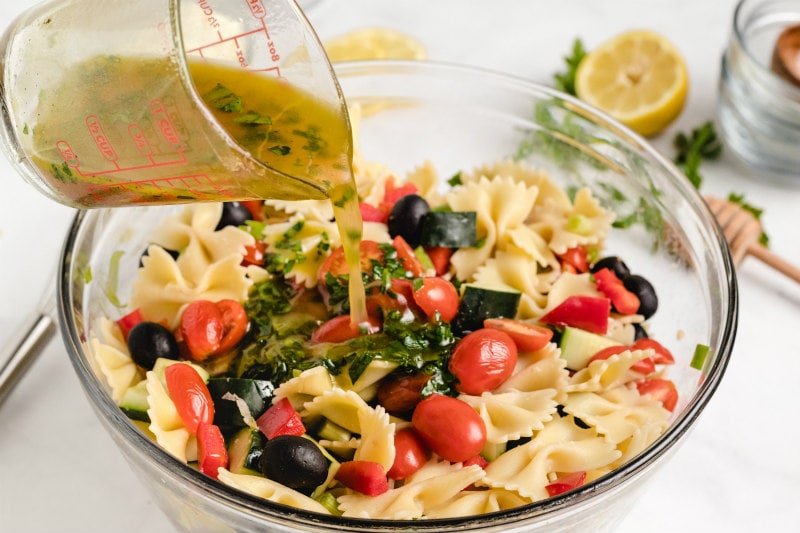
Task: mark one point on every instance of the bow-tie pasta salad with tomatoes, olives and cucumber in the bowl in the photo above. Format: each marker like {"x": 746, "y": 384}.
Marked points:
{"x": 505, "y": 359}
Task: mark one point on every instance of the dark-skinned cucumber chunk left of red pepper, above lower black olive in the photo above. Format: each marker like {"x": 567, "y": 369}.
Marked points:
{"x": 255, "y": 393}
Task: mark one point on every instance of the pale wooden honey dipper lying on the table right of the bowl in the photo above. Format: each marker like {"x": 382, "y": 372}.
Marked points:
{"x": 742, "y": 231}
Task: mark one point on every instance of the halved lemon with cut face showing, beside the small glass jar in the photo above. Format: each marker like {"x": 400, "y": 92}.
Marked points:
{"x": 638, "y": 77}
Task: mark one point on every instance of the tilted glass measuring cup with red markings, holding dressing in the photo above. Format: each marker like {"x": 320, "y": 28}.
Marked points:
{"x": 165, "y": 101}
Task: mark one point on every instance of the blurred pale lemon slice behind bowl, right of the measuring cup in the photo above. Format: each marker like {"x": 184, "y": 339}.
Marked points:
{"x": 374, "y": 43}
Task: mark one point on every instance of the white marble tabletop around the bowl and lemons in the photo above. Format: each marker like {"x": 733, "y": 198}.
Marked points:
{"x": 738, "y": 472}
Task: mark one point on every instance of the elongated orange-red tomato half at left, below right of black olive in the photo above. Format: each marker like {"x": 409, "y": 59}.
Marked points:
{"x": 189, "y": 393}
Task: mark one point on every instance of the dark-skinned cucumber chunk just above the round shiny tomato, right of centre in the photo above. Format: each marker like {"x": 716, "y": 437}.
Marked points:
{"x": 479, "y": 303}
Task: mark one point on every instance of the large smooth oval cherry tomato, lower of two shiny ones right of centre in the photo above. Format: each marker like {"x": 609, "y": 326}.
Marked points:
{"x": 449, "y": 427}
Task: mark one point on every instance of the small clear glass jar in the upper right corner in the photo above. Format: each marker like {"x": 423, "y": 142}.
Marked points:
{"x": 759, "y": 111}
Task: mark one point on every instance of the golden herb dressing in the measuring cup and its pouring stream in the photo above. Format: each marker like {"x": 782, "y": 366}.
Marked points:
{"x": 129, "y": 130}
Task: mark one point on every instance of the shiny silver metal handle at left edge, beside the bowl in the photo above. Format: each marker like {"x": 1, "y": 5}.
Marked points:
{"x": 33, "y": 341}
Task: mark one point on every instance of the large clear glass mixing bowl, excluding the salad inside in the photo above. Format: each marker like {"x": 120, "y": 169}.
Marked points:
{"x": 457, "y": 118}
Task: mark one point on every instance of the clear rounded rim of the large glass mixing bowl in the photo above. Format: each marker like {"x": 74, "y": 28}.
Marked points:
{"x": 111, "y": 416}
